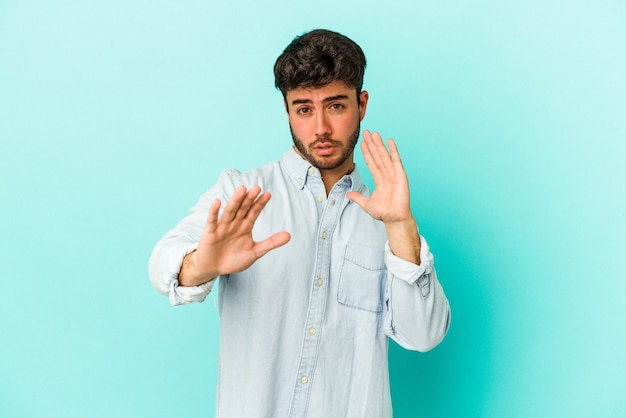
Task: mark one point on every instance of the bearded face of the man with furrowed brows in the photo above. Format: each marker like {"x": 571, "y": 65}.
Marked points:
{"x": 325, "y": 124}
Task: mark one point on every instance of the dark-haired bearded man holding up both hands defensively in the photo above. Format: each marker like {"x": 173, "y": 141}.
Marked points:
{"x": 314, "y": 277}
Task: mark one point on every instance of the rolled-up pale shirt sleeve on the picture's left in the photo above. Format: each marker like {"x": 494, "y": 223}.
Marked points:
{"x": 168, "y": 254}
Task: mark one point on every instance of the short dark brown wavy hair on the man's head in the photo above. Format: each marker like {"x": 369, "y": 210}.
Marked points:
{"x": 316, "y": 59}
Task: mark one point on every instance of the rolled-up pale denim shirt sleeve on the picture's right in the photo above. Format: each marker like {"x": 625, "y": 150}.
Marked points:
{"x": 417, "y": 312}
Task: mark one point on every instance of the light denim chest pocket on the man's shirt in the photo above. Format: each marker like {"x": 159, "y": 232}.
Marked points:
{"x": 361, "y": 280}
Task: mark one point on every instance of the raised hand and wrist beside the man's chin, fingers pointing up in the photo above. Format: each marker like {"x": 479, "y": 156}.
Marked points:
{"x": 390, "y": 201}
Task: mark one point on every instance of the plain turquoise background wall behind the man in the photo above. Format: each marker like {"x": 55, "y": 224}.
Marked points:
{"x": 510, "y": 117}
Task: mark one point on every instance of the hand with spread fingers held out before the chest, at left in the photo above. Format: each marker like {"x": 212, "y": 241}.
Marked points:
{"x": 226, "y": 245}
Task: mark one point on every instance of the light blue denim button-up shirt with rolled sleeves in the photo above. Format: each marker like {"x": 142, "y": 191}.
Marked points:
{"x": 304, "y": 330}
